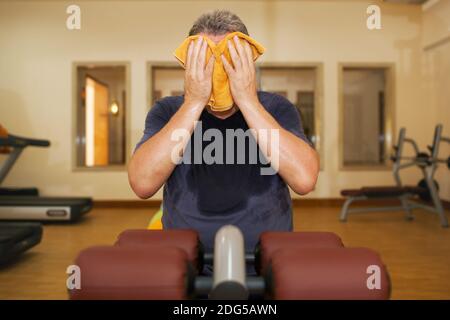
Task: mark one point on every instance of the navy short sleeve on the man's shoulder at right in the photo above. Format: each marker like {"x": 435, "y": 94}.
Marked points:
{"x": 288, "y": 117}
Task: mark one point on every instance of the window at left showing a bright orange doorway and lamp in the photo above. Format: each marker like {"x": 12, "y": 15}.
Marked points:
{"x": 101, "y": 103}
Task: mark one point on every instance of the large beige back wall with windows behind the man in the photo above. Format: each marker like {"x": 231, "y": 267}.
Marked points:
{"x": 37, "y": 52}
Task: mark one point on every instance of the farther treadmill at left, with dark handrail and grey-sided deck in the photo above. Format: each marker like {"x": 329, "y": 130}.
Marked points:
{"x": 26, "y": 204}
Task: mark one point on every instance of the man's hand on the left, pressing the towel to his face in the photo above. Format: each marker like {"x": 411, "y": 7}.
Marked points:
{"x": 198, "y": 79}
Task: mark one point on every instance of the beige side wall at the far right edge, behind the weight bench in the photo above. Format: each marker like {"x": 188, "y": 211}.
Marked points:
{"x": 436, "y": 68}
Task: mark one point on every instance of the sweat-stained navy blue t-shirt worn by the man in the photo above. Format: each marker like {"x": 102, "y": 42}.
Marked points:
{"x": 205, "y": 197}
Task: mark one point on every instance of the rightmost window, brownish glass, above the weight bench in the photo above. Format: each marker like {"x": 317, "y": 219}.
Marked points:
{"x": 366, "y": 126}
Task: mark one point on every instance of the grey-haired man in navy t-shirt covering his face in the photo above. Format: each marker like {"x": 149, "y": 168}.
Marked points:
{"x": 205, "y": 196}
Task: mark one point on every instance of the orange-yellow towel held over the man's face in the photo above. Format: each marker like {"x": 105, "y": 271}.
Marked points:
{"x": 221, "y": 99}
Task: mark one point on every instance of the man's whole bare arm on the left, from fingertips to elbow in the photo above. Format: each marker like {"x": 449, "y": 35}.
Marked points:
{"x": 152, "y": 163}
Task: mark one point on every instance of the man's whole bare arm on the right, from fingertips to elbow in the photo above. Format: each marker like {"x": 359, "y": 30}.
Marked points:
{"x": 298, "y": 162}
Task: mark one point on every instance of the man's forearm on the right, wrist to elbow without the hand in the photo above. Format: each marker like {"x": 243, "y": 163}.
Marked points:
{"x": 298, "y": 162}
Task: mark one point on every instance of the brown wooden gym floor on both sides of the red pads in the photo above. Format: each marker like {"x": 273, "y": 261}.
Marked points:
{"x": 416, "y": 253}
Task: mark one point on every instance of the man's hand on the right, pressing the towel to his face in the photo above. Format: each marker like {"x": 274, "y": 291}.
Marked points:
{"x": 242, "y": 76}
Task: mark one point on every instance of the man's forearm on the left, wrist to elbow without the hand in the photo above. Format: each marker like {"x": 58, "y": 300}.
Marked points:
{"x": 152, "y": 163}
